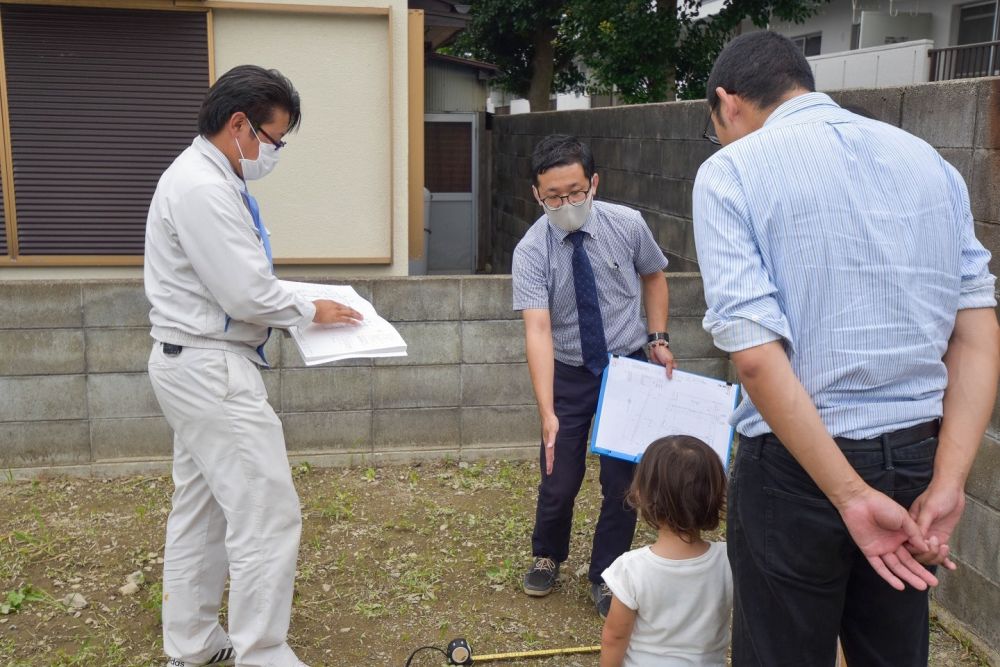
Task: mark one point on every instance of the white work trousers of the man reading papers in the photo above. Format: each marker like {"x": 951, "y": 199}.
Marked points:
{"x": 234, "y": 510}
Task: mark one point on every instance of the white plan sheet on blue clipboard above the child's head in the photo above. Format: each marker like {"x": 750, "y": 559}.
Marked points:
{"x": 638, "y": 405}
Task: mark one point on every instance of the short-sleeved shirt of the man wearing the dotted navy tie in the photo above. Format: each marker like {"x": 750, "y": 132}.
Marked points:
{"x": 621, "y": 249}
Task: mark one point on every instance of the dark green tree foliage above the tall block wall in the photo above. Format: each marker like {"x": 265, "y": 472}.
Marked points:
{"x": 645, "y": 50}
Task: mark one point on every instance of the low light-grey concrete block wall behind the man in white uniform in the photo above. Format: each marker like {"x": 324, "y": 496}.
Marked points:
{"x": 75, "y": 398}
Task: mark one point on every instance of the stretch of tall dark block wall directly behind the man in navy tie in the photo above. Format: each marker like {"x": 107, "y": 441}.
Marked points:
{"x": 647, "y": 156}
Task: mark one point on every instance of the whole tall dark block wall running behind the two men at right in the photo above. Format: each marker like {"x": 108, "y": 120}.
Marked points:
{"x": 648, "y": 156}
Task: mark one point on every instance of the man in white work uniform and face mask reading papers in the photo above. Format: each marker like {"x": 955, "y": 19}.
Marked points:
{"x": 214, "y": 296}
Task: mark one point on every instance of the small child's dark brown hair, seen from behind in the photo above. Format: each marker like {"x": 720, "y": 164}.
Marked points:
{"x": 679, "y": 485}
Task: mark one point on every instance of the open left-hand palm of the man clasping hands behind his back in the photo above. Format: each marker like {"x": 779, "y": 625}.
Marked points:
{"x": 884, "y": 532}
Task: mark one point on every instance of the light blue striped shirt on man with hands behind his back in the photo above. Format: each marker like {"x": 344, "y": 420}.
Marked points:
{"x": 852, "y": 242}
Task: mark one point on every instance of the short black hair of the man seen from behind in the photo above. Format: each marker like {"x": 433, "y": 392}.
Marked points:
{"x": 760, "y": 67}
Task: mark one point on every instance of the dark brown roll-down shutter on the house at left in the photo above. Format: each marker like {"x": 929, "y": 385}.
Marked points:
{"x": 101, "y": 101}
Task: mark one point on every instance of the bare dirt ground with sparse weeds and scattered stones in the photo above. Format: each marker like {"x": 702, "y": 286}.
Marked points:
{"x": 391, "y": 559}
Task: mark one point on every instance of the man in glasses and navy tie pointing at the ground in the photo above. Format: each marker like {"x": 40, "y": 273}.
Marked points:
{"x": 580, "y": 275}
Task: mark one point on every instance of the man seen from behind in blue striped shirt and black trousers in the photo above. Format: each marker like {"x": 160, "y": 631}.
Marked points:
{"x": 842, "y": 273}
